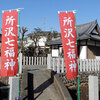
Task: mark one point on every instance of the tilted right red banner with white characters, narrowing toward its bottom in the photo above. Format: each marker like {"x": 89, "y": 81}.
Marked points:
{"x": 68, "y": 34}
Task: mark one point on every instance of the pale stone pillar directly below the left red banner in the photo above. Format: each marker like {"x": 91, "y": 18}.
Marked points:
{"x": 14, "y": 85}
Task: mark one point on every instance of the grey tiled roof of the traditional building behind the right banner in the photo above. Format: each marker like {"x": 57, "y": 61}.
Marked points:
{"x": 84, "y": 32}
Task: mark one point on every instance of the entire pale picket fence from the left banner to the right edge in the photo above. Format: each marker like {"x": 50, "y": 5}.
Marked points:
{"x": 57, "y": 64}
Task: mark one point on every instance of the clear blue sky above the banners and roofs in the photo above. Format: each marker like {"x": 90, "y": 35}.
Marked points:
{"x": 44, "y": 13}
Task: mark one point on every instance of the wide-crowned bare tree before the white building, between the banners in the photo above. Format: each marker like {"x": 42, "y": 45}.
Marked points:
{"x": 37, "y": 34}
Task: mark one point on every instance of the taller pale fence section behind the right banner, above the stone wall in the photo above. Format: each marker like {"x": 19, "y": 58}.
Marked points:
{"x": 86, "y": 65}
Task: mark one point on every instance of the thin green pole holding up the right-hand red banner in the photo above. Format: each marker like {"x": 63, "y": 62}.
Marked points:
{"x": 78, "y": 88}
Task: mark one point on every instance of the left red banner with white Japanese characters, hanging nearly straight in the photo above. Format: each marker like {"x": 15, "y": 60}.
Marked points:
{"x": 9, "y": 47}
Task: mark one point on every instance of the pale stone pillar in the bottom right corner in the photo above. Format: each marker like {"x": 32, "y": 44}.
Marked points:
{"x": 93, "y": 88}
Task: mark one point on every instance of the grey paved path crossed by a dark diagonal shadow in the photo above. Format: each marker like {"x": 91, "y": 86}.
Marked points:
{"x": 43, "y": 86}
